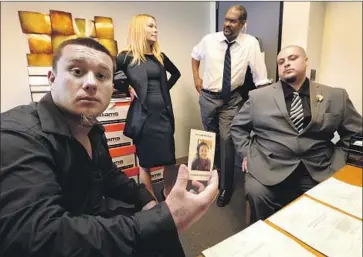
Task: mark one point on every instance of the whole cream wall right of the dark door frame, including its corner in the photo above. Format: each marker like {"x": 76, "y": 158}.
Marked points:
{"x": 331, "y": 33}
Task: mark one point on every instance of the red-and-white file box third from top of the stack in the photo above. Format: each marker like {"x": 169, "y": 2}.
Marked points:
{"x": 123, "y": 157}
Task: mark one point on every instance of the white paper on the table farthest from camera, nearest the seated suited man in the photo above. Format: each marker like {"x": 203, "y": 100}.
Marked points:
{"x": 339, "y": 194}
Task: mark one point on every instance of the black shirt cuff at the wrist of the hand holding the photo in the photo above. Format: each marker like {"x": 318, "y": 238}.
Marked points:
{"x": 158, "y": 232}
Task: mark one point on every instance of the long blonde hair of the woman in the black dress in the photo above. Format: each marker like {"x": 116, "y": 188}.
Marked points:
{"x": 137, "y": 42}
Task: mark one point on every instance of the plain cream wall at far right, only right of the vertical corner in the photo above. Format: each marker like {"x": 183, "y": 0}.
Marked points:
{"x": 341, "y": 57}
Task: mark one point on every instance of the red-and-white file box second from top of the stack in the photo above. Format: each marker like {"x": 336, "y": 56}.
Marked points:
{"x": 115, "y": 136}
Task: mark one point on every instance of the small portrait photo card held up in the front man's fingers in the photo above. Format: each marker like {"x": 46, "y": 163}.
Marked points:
{"x": 201, "y": 154}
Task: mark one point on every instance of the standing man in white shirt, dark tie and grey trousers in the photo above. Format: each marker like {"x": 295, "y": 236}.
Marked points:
{"x": 226, "y": 54}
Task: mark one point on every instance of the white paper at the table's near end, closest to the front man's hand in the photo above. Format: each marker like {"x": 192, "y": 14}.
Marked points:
{"x": 258, "y": 240}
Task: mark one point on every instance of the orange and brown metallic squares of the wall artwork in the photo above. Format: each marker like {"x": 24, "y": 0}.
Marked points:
{"x": 45, "y": 32}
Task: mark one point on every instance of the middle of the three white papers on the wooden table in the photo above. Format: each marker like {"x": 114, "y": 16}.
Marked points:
{"x": 325, "y": 229}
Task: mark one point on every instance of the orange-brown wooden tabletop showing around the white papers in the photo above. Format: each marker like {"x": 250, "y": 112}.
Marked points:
{"x": 349, "y": 174}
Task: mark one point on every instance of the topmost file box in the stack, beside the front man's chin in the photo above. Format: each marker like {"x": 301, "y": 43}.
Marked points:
{"x": 116, "y": 112}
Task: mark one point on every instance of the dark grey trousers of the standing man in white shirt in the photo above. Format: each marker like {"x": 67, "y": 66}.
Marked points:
{"x": 217, "y": 117}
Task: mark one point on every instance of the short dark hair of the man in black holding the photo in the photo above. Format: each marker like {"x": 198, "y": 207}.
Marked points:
{"x": 82, "y": 41}
